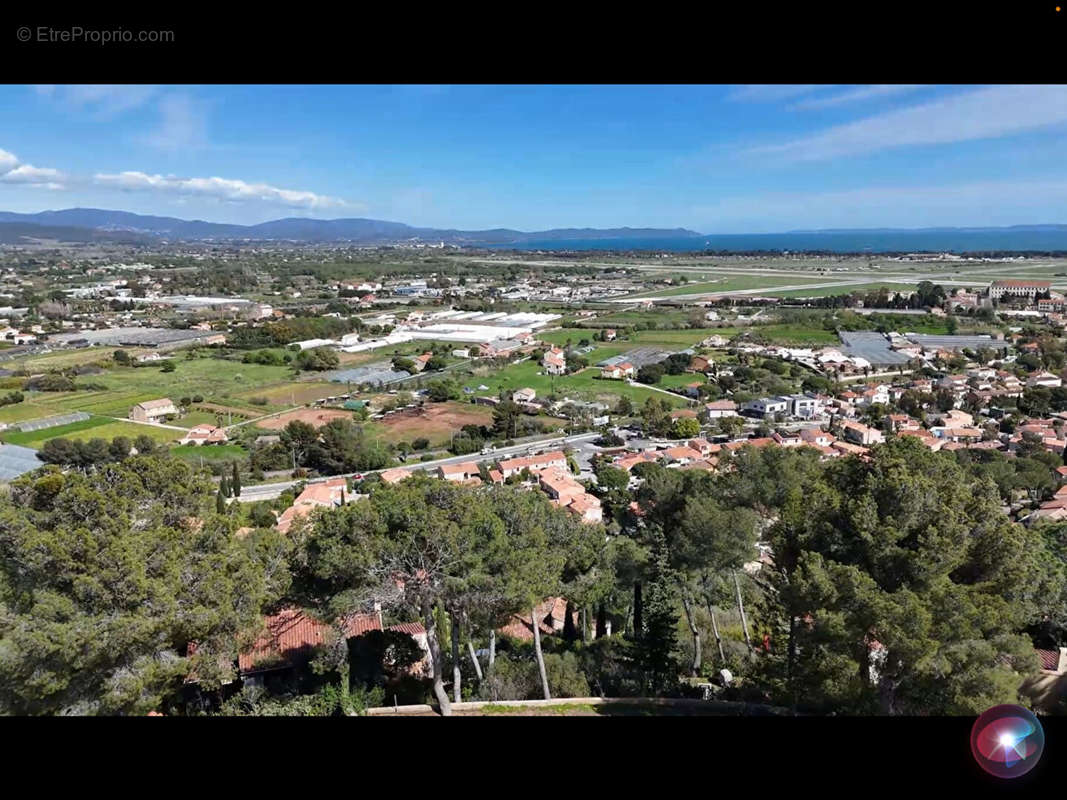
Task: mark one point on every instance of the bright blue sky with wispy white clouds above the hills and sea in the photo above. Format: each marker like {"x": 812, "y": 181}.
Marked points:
{"x": 715, "y": 159}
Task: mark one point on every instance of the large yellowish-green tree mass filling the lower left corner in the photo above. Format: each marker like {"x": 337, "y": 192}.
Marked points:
{"x": 108, "y": 577}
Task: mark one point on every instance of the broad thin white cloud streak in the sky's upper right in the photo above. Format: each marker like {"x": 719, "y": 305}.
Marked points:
{"x": 986, "y": 114}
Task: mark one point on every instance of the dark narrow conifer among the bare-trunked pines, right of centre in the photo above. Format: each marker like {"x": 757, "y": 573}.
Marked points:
{"x": 658, "y": 645}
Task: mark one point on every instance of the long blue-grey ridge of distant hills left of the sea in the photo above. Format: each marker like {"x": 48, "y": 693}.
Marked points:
{"x": 375, "y": 232}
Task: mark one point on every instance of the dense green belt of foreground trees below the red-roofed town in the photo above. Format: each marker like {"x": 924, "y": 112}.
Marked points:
{"x": 896, "y": 586}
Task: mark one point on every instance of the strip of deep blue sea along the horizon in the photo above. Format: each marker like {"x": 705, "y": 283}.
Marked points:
{"x": 847, "y": 242}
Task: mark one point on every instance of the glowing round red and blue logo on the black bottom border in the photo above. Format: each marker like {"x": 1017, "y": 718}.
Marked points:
{"x": 1008, "y": 741}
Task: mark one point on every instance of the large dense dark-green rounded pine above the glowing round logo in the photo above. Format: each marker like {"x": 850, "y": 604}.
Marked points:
{"x": 902, "y": 589}
